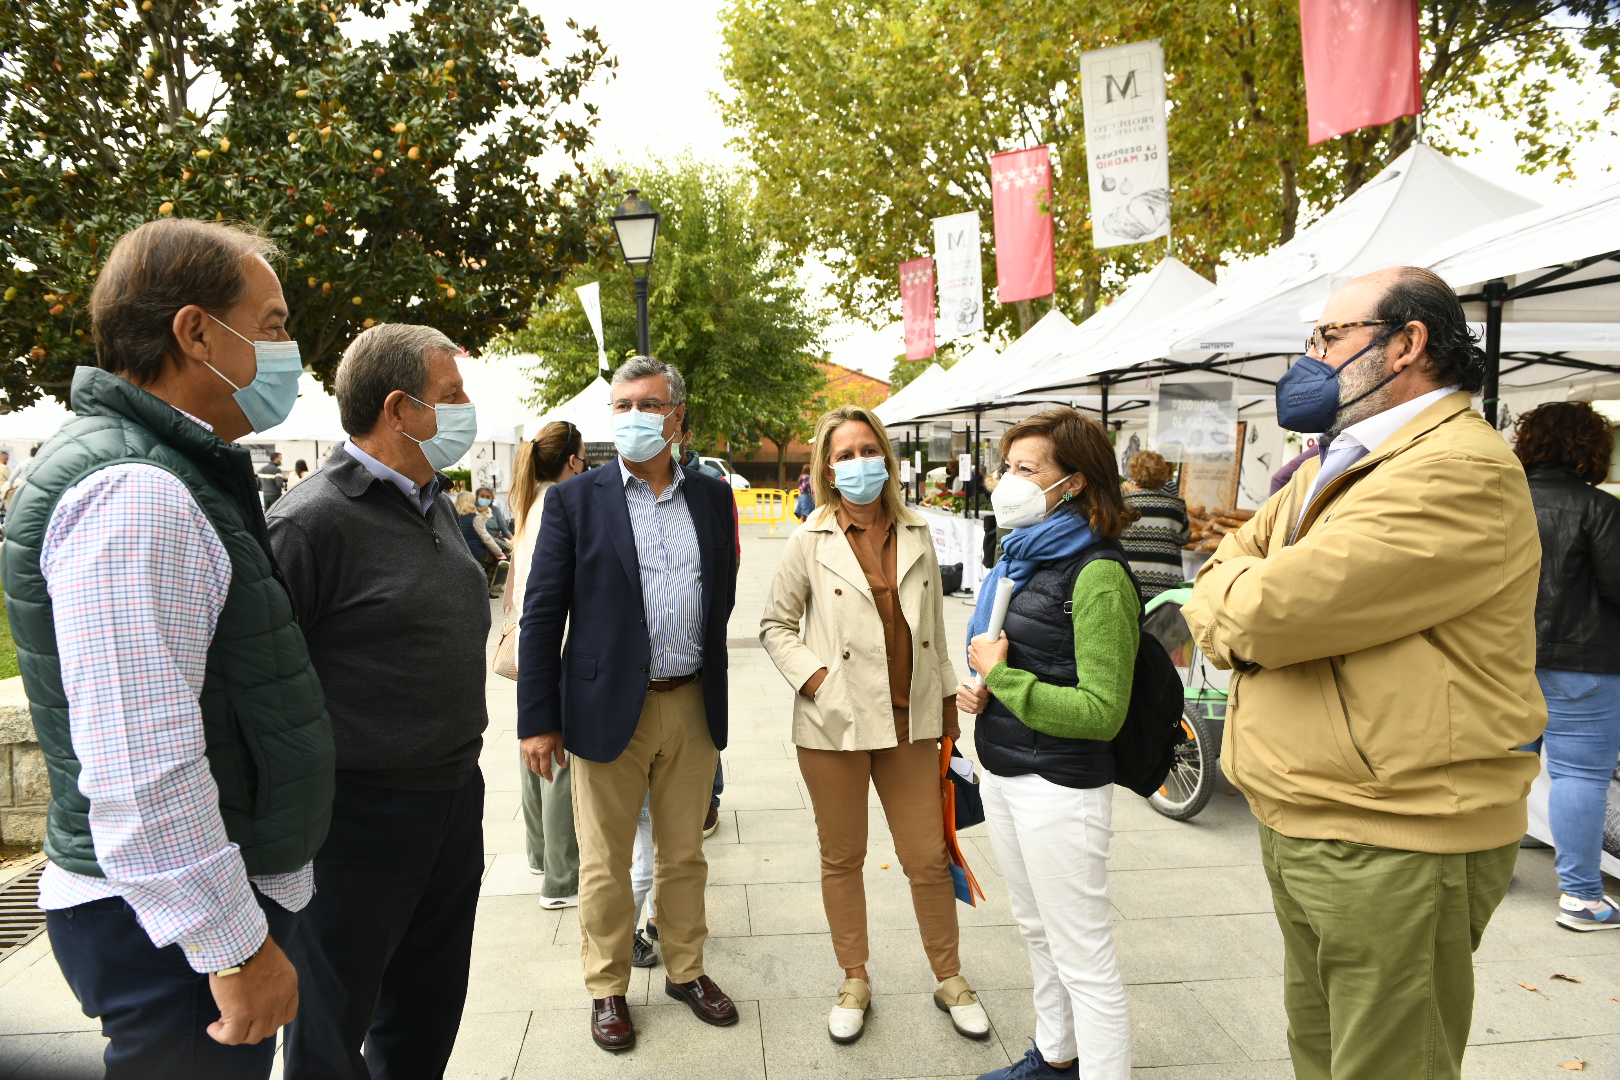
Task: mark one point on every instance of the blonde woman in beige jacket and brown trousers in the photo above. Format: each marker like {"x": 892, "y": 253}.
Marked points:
{"x": 856, "y": 624}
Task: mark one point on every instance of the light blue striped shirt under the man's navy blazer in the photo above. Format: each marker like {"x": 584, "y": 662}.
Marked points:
{"x": 667, "y": 551}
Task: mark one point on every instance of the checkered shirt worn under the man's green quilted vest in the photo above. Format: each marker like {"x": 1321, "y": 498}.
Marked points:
{"x": 137, "y": 579}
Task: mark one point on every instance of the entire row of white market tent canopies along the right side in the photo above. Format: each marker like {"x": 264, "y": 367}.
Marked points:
{"x": 1559, "y": 318}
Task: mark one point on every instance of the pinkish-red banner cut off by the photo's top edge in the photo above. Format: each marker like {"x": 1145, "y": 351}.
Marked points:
{"x": 1363, "y": 64}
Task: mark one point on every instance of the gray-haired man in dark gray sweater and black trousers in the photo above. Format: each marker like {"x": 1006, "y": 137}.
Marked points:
{"x": 396, "y": 614}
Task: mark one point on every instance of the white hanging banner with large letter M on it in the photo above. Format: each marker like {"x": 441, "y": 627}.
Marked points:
{"x": 1127, "y": 145}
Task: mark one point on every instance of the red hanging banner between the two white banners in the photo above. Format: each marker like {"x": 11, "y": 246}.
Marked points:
{"x": 1021, "y": 210}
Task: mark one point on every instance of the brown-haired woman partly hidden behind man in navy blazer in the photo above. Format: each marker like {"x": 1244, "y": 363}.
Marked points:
{"x": 552, "y": 457}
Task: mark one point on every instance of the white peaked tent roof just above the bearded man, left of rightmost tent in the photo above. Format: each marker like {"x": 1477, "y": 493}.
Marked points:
{"x": 1251, "y": 325}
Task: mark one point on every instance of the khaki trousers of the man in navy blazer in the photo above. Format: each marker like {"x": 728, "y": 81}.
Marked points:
{"x": 673, "y": 757}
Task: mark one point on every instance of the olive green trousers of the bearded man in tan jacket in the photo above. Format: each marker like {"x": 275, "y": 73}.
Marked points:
{"x": 1379, "y": 953}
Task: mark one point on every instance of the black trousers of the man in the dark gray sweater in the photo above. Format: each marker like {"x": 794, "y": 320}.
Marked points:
{"x": 388, "y": 940}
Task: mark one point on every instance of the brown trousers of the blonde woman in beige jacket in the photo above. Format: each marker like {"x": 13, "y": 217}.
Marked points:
{"x": 908, "y": 781}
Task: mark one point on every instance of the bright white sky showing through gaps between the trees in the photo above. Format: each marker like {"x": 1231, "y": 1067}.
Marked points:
{"x": 670, "y": 66}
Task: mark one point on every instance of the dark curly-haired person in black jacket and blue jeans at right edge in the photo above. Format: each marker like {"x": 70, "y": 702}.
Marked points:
{"x": 1566, "y": 449}
